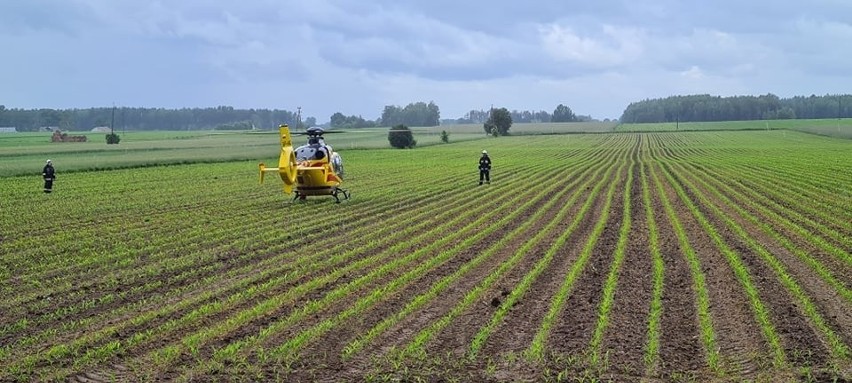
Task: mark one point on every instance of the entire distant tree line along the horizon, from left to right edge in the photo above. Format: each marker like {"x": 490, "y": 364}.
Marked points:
{"x": 692, "y": 108}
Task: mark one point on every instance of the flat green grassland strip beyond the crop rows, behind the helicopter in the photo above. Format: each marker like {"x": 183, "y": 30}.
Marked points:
{"x": 25, "y": 153}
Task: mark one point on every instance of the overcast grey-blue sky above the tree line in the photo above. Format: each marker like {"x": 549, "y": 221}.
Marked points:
{"x": 356, "y": 56}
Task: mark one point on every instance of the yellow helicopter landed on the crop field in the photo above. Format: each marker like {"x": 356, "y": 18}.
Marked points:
{"x": 312, "y": 169}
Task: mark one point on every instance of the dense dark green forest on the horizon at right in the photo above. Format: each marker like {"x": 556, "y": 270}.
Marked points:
{"x": 700, "y": 108}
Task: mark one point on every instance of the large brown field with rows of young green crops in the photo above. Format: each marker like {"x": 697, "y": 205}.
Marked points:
{"x": 702, "y": 256}
